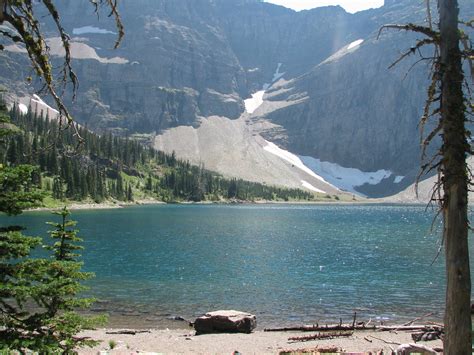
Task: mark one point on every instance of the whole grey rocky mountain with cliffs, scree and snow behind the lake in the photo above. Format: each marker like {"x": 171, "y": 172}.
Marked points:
{"x": 253, "y": 90}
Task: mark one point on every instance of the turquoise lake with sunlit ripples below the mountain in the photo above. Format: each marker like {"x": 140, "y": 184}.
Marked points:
{"x": 288, "y": 264}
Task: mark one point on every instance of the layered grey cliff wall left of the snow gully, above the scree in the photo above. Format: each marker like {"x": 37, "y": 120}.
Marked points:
{"x": 223, "y": 50}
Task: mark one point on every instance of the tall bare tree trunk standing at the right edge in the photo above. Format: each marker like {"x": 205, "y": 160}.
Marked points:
{"x": 455, "y": 184}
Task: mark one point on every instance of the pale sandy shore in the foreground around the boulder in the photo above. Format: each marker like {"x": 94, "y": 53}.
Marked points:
{"x": 184, "y": 341}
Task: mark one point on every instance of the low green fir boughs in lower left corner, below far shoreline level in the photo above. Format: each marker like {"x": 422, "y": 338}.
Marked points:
{"x": 39, "y": 296}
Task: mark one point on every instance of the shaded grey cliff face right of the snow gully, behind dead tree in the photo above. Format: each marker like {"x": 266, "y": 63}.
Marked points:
{"x": 371, "y": 113}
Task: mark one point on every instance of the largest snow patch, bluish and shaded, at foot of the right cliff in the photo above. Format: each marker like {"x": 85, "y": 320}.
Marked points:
{"x": 346, "y": 179}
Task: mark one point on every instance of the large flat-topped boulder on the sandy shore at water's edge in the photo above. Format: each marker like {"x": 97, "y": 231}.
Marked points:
{"x": 225, "y": 322}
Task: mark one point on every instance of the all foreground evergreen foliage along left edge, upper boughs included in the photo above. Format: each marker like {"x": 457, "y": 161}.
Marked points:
{"x": 38, "y": 297}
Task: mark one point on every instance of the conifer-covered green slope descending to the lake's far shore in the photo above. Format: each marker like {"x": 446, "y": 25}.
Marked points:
{"x": 113, "y": 168}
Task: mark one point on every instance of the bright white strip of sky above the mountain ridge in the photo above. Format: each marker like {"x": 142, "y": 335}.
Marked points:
{"x": 348, "y": 5}
